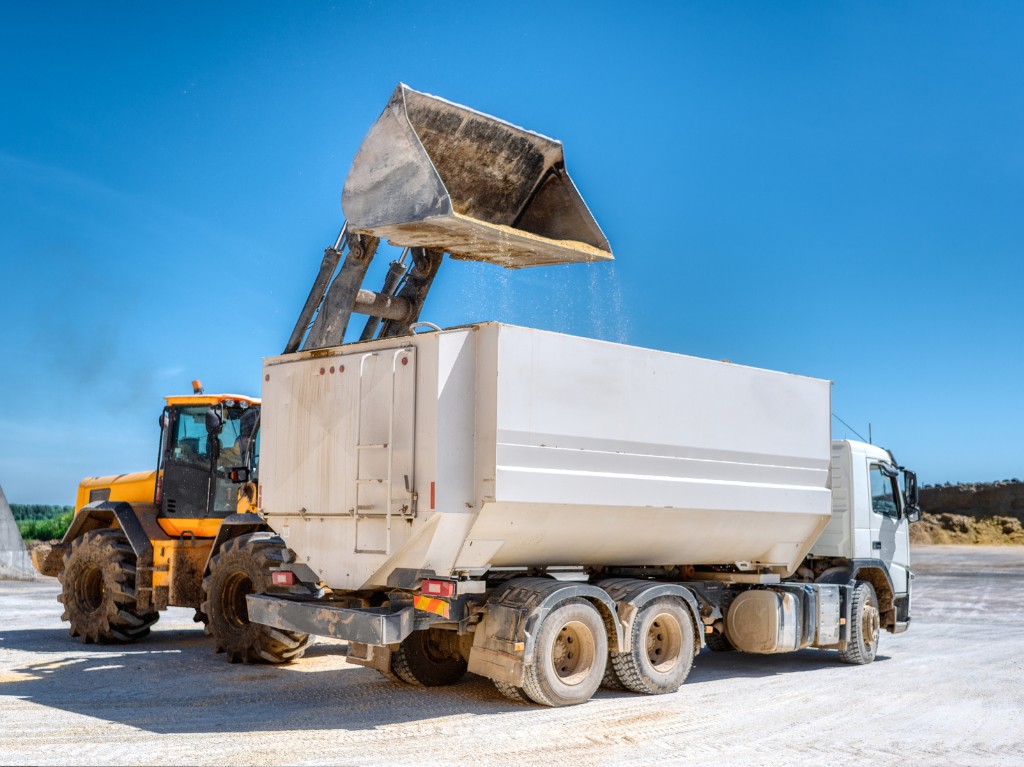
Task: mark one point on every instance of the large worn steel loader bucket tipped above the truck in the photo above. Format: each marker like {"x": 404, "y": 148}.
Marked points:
{"x": 435, "y": 175}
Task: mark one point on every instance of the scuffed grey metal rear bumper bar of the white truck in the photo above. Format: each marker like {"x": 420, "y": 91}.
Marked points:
{"x": 377, "y": 626}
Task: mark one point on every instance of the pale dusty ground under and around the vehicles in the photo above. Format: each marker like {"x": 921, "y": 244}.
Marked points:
{"x": 951, "y": 692}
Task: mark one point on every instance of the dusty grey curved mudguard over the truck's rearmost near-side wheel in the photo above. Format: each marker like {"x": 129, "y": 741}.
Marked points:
{"x": 504, "y": 643}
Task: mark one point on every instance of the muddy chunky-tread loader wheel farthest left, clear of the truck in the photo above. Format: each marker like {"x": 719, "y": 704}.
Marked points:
{"x": 99, "y": 590}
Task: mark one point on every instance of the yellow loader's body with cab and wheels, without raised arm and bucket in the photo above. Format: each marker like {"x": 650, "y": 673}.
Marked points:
{"x": 142, "y": 542}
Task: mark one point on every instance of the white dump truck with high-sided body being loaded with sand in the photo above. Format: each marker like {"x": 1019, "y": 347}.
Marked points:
{"x": 553, "y": 513}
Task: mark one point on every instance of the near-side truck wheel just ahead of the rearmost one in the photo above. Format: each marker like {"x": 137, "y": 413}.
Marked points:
{"x": 662, "y": 655}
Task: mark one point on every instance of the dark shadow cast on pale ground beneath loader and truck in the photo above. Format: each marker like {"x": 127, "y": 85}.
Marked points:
{"x": 173, "y": 683}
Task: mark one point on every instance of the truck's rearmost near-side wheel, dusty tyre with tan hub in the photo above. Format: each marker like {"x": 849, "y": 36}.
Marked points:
{"x": 570, "y": 656}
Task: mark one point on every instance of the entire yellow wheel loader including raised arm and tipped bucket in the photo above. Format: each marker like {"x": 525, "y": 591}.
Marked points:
{"x": 432, "y": 178}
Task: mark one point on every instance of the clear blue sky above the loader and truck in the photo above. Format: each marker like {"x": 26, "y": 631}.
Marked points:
{"x": 834, "y": 190}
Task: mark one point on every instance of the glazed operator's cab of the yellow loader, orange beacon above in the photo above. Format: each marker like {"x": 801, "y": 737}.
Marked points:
{"x": 208, "y": 445}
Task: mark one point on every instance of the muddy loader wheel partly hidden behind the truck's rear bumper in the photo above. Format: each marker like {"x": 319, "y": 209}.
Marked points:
{"x": 242, "y": 568}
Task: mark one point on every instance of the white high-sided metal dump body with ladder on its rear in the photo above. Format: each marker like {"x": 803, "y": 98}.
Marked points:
{"x": 494, "y": 446}
